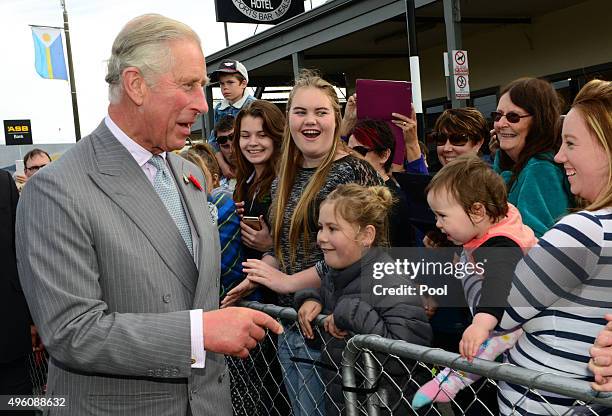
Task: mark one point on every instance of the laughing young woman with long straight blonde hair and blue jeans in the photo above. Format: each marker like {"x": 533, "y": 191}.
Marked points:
{"x": 314, "y": 162}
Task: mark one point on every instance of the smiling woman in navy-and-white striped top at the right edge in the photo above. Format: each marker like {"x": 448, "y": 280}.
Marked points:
{"x": 563, "y": 287}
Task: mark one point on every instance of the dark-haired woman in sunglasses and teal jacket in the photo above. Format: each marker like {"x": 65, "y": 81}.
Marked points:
{"x": 527, "y": 125}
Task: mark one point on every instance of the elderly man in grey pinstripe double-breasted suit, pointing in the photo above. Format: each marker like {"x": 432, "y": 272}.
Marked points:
{"x": 121, "y": 266}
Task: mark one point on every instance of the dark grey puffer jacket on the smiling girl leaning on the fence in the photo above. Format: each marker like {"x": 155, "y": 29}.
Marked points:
{"x": 348, "y": 295}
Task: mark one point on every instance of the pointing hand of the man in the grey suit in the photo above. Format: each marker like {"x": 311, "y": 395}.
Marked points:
{"x": 236, "y": 331}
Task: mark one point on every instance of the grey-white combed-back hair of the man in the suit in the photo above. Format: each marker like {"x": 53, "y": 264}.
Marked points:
{"x": 144, "y": 43}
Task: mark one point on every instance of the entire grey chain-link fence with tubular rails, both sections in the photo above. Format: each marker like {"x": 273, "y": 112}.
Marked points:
{"x": 368, "y": 375}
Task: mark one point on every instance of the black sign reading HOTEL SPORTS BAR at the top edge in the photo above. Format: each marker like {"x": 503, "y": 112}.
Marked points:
{"x": 257, "y": 11}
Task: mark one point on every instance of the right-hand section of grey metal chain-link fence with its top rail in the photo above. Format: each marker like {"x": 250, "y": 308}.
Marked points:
{"x": 371, "y": 348}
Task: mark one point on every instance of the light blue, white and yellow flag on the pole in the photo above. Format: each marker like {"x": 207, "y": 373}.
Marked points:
{"x": 49, "y": 53}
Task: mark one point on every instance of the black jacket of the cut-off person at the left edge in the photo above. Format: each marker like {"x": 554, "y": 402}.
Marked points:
{"x": 14, "y": 316}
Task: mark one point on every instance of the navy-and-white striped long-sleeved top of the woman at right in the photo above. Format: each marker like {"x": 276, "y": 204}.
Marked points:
{"x": 560, "y": 293}
